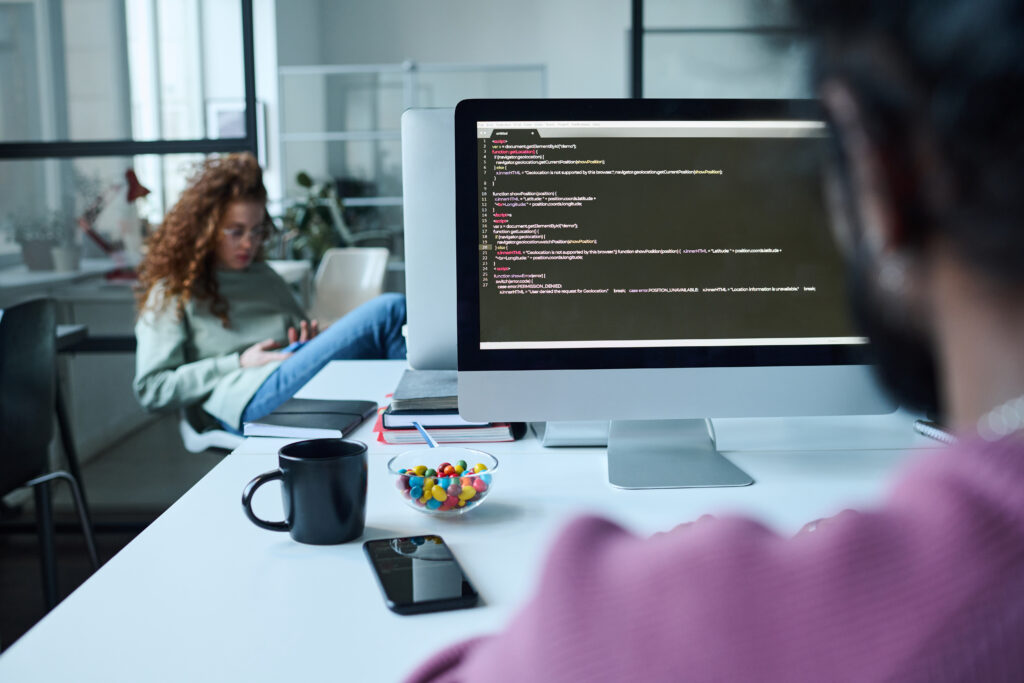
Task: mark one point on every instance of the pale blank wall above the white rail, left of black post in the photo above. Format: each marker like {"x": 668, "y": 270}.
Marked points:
{"x": 585, "y": 45}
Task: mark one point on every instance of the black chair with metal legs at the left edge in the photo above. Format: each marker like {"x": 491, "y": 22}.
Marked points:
{"x": 28, "y": 386}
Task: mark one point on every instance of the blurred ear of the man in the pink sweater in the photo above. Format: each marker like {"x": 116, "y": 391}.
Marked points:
{"x": 872, "y": 197}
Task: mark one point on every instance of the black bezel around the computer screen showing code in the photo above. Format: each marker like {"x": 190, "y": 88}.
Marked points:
{"x": 472, "y": 358}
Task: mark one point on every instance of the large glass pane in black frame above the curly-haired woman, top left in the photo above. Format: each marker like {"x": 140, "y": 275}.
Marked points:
{"x": 121, "y": 70}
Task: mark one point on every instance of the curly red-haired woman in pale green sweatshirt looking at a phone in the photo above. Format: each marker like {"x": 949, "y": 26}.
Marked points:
{"x": 214, "y": 316}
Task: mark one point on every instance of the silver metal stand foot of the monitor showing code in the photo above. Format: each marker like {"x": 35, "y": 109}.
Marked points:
{"x": 668, "y": 454}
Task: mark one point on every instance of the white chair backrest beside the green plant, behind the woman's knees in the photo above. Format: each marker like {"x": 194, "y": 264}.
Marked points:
{"x": 348, "y": 278}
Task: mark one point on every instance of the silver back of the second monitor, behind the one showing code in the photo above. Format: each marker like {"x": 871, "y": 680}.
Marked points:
{"x": 429, "y": 189}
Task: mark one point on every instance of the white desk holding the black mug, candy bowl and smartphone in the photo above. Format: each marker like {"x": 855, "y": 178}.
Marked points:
{"x": 204, "y": 595}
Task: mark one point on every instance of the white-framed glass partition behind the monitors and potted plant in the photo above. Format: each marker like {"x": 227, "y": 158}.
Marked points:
{"x": 340, "y": 124}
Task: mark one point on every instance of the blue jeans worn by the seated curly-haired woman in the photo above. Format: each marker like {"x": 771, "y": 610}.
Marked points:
{"x": 371, "y": 332}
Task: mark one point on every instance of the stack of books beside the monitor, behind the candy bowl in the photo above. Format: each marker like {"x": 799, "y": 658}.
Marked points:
{"x": 431, "y": 398}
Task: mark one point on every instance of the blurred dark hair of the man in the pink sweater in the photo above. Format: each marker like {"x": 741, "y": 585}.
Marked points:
{"x": 941, "y": 87}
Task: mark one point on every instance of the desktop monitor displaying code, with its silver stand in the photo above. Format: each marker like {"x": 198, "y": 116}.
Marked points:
{"x": 654, "y": 264}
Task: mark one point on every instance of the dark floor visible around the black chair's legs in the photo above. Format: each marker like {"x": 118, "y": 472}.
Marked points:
{"x": 129, "y": 487}
